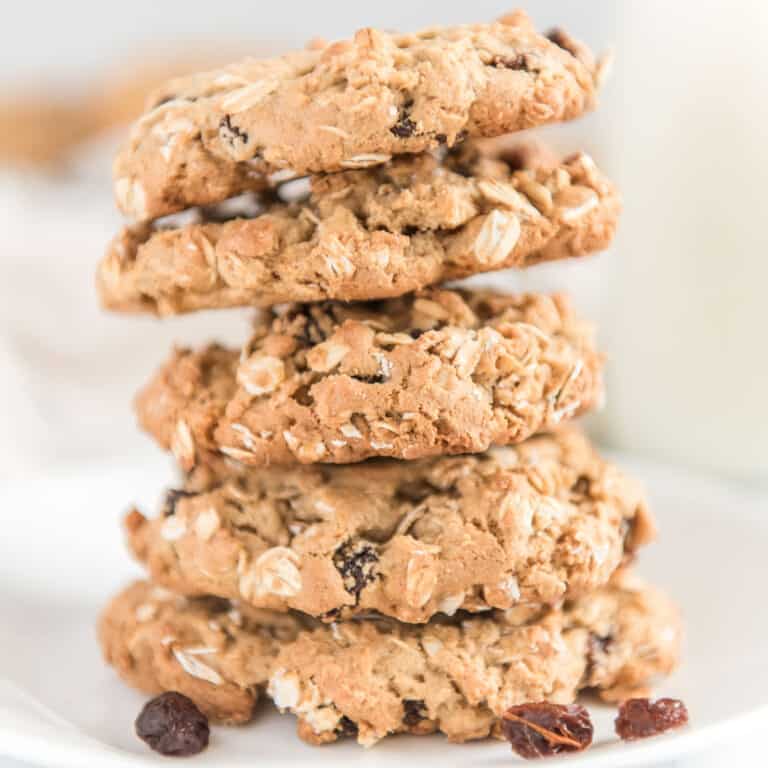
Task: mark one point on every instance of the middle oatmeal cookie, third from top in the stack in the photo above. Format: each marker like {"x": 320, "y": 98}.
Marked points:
{"x": 438, "y": 372}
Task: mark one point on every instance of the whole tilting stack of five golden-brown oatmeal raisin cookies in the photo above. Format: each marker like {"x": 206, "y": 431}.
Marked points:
{"x": 385, "y": 523}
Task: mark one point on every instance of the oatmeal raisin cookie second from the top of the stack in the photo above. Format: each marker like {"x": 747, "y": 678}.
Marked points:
{"x": 367, "y": 234}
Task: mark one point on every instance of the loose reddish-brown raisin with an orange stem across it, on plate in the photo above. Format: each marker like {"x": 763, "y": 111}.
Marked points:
{"x": 543, "y": 729}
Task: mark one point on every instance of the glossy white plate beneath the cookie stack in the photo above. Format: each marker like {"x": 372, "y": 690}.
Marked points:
{"x": 61, "y": 556}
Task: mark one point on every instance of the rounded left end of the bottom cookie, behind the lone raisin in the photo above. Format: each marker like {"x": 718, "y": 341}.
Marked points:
{"x": 159, "y": 642}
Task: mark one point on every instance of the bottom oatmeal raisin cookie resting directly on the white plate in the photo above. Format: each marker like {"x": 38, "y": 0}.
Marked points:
{"x": 375, "y": 677}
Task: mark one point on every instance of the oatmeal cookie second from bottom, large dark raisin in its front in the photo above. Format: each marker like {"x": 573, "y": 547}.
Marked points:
{"x": 533, "y": 524}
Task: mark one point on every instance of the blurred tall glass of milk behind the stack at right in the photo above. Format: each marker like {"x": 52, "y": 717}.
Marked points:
{"x": 681, "y": 300}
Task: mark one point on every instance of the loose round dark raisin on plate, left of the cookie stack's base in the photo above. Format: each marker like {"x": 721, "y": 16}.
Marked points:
{"x": 173, "y": 725}
